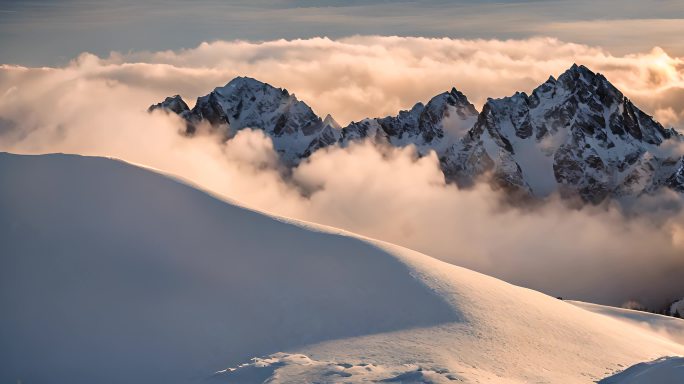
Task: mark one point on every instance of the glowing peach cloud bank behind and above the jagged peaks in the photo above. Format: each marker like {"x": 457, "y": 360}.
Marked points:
{"x": 365, "y": 76}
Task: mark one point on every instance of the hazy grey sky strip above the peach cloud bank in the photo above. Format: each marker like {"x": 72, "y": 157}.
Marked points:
{"x": 37, "y": 33}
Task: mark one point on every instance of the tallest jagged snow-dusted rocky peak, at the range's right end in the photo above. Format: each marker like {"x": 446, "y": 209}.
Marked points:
{"x": 577, "y": 134}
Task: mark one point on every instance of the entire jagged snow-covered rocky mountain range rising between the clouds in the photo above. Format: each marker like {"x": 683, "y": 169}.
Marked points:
{"x": 577, "y": 135}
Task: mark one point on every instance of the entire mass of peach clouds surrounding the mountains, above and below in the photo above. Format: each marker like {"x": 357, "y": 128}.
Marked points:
{"x": 97, "y": 106}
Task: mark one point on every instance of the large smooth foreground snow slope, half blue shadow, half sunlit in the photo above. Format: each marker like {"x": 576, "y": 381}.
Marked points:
{"x": 110, "y": 273}
